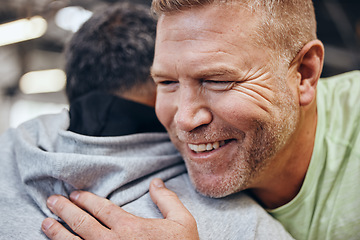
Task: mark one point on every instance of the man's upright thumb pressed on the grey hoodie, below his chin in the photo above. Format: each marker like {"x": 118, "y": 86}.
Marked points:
{"x": 168, "y": 203}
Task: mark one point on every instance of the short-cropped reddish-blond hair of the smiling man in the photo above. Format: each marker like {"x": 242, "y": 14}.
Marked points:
{"x": 285, "y": 25}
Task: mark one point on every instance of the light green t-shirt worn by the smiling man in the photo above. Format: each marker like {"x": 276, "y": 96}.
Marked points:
{"x": 328, "y": 204}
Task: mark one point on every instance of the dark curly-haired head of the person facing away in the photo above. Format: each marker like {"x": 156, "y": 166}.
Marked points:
{"x": 112, "y": 52}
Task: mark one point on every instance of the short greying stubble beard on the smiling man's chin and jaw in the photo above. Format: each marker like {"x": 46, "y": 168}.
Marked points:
{"x": 249, "y": 162}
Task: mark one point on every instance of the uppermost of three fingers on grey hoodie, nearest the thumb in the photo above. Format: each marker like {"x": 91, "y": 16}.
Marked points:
{"x": 101, "y": 208}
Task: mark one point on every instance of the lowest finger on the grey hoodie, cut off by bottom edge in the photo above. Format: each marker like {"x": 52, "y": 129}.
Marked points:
{"x": 55, "y": 231}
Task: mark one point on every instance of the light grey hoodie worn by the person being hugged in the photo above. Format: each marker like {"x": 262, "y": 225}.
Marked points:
{"x": 41, "y": 158}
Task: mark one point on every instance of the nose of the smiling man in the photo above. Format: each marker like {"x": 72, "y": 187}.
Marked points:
{"x": 192, "y": 110}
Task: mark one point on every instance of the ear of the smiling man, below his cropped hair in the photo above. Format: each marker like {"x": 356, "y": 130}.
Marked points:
{"x": 309, "y": 63}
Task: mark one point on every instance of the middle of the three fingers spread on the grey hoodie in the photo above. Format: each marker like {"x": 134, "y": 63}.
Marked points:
{"x": 77, "y": 219}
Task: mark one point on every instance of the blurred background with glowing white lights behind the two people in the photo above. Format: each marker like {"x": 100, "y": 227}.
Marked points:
{"x": 33, "y": 34}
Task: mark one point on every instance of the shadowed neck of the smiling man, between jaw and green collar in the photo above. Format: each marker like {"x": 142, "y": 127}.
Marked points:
{"x": 289, "y": 171}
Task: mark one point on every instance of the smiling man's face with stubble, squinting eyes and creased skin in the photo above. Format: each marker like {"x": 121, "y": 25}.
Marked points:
{"x": 226, "y": 110}
